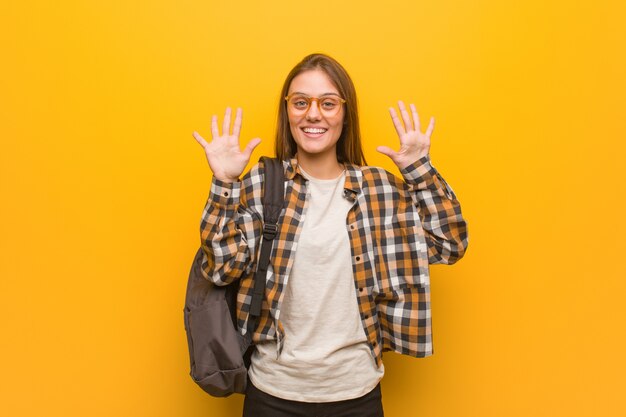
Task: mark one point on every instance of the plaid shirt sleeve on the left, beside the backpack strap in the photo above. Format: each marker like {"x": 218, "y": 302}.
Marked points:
{"x": 230, "y": 229}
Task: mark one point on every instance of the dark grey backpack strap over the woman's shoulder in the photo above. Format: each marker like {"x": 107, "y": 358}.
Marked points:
{"x": 273, "y": 202}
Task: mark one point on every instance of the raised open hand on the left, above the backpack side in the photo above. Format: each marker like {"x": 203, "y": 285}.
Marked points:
{"x": 226, "y": 159}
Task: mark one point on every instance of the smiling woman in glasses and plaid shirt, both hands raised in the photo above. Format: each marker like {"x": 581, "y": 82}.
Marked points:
{"x": 349, "y": 272}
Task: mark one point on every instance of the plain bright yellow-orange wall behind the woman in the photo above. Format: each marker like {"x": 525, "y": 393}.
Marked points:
{"x": 103, "y": 188}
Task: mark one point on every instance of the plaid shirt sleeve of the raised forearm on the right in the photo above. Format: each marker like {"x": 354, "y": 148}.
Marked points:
{"x": 439, "y": 211}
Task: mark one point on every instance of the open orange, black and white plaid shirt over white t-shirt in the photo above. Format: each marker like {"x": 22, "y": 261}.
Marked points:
{"x": 396, "y": 229}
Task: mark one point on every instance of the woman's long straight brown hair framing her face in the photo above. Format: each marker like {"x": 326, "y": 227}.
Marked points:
{"x": 349, "y": 144}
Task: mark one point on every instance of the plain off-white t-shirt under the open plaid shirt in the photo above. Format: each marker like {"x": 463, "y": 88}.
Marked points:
{"x": 325, "y": 356}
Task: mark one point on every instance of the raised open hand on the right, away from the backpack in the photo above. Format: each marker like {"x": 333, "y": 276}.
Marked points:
{"x": 413, "y": 143}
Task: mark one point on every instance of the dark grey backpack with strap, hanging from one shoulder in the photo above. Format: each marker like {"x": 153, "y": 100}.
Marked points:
{"x": 219, "y": 355}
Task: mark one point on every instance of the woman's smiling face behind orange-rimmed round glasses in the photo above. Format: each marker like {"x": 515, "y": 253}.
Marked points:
{"x": 314, "y": 132}
